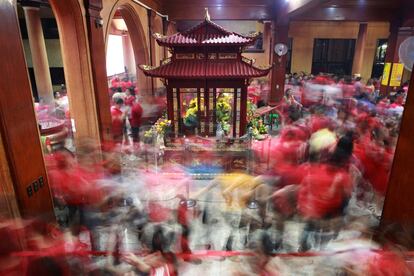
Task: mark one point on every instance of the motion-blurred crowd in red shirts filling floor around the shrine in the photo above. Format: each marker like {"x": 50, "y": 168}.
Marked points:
{"x": 314, "y": 210}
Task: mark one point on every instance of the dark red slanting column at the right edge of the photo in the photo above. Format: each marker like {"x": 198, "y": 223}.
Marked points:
{"x": 398, "y": 206}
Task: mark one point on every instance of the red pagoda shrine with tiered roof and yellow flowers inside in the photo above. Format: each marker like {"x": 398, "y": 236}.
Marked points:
{"x": 206, "y": 73}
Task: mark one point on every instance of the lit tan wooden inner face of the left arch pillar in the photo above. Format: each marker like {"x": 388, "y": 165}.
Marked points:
{"x": 74, "y": 47}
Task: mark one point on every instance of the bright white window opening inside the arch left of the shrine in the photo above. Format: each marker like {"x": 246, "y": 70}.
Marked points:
{"x": 115, "y": 56}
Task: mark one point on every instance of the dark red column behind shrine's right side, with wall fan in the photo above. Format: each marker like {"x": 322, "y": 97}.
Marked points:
{"x": 280, "y": 35}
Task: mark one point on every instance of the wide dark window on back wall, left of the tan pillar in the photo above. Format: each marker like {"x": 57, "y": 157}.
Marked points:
{"x": 334, "y": 56}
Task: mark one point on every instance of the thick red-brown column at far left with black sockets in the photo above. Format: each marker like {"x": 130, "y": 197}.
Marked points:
{"x": 18, "y": 126}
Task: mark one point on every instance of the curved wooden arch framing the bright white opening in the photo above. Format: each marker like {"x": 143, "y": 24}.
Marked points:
{"x": 137, "y": 36}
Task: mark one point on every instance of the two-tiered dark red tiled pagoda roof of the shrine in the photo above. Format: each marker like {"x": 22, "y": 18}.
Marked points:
{"x": 205, "y": 63}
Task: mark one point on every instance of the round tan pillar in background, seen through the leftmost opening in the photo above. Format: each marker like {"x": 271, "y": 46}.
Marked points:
{"x": 39, "y": 53}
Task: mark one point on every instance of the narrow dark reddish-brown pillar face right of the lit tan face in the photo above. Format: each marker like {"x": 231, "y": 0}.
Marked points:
{"x": 98, "y": 65}
